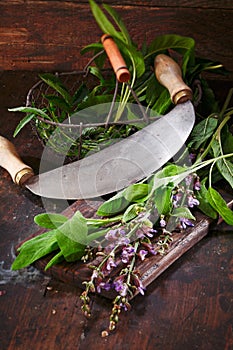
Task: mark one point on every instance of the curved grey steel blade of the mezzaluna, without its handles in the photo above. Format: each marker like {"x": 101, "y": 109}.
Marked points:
{"x": 122, "y": 163}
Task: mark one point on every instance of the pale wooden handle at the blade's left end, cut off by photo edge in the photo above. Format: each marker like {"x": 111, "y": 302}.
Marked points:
{"x": 10, "y": 160}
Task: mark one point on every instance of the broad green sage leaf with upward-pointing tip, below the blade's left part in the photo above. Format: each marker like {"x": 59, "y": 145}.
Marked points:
{"x": 72, "y": 237}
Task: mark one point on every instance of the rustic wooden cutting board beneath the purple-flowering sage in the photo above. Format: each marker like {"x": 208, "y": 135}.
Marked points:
{"x": 150, "y": 268}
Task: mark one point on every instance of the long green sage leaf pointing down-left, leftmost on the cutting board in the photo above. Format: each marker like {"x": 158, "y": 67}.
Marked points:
{"x": 34, "y": 249}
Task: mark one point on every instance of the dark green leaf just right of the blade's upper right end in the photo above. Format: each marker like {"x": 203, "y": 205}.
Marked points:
{"x": 202, "y": 131}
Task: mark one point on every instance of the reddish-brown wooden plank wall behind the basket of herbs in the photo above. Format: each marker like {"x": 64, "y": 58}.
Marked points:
{"x": 48, "y": 35}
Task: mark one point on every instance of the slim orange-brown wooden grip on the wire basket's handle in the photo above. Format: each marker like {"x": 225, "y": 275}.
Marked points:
{"x": 115, "y": 58}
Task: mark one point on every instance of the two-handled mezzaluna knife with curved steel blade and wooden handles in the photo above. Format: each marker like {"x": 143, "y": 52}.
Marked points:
{"x": 121, "y": 164}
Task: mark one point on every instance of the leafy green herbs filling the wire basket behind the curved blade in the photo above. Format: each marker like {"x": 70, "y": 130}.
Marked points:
{"x": 60, "y": 99}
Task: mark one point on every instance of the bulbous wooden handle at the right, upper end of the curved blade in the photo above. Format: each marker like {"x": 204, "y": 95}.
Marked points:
{"x": 169, "y": 75}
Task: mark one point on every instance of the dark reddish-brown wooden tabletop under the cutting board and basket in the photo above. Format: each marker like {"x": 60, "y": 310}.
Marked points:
{"x": 190, "y": 306}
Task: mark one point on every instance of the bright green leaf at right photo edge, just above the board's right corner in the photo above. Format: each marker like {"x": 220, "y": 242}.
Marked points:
{"x": 219, "y": 204}
